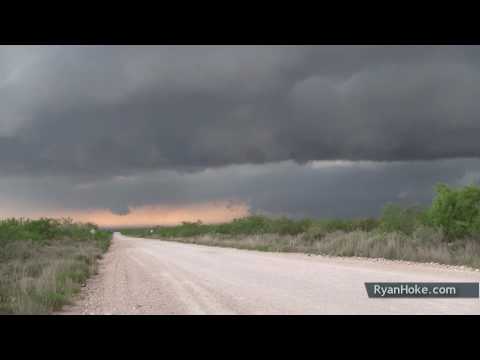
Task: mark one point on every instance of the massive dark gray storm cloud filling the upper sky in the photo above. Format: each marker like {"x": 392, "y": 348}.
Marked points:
{"x": 105, "y": 111}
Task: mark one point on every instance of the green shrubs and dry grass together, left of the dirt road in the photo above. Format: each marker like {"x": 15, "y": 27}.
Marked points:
{"x": 43, "y": 263}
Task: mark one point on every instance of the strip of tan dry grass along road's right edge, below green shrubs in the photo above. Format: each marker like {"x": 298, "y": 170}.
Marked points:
{"x": 424, "y": 245}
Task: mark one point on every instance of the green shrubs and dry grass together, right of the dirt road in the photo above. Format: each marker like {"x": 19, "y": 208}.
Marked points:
{"x": 447, "y": 232}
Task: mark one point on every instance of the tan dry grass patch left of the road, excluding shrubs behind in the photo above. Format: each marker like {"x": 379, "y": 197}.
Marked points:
{"x": 40, "y": 278}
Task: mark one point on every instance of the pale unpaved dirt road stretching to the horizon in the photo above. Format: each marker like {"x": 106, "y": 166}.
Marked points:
{"x": 142, "y": 276}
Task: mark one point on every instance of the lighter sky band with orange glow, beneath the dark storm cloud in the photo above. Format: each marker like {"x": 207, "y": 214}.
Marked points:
{"x": 317, "y": 189}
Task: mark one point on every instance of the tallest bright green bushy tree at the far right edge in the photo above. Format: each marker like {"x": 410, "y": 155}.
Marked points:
{"x": 456, "y": 211}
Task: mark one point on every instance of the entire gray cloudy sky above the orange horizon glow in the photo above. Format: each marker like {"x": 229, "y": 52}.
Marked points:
{"x": 300, "y": 131}
